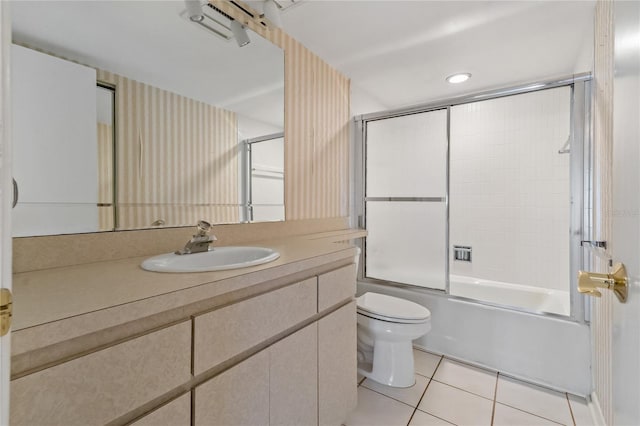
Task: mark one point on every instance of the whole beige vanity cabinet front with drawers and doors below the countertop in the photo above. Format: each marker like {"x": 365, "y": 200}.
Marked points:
{"x": 279, "y": 355}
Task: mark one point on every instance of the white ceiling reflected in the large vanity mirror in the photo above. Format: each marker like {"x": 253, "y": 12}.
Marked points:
{"x": 153, "y": 42}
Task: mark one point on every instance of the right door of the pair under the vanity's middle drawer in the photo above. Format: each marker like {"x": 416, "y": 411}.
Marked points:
{"x": 294, "y": 379}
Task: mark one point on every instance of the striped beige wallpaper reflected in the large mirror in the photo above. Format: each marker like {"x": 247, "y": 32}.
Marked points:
{"x": 177, "y": 158}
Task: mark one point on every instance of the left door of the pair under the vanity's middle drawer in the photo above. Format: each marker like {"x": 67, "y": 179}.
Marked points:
{"x": 239, "y": 396}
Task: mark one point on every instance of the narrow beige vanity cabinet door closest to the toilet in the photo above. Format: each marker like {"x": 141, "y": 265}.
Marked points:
{"x": 337, "y": 364}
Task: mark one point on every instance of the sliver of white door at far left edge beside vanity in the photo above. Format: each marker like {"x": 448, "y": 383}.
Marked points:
{"x": 6, "y": 195}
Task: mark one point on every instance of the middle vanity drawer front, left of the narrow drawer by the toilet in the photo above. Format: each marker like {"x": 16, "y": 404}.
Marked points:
{"x": 228, "y": 331}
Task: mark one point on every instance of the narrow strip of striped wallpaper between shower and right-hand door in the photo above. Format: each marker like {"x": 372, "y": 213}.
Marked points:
{"x": 602, "y": 308}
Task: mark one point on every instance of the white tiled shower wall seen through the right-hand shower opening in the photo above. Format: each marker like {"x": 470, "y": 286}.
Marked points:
{"x": 509, "y": 188}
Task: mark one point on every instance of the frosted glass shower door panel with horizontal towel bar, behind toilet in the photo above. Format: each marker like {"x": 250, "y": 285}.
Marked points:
{"x": 405, "y": 199}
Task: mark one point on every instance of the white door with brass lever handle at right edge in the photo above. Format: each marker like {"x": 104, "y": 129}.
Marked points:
{"x": 625, "y": 241}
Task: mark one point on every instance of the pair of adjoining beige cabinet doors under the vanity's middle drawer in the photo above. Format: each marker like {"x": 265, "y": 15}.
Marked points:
{"x": 277, "y": 386}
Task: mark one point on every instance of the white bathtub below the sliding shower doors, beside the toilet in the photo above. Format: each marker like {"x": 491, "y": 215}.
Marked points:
{"x": 552, "y": 351}
